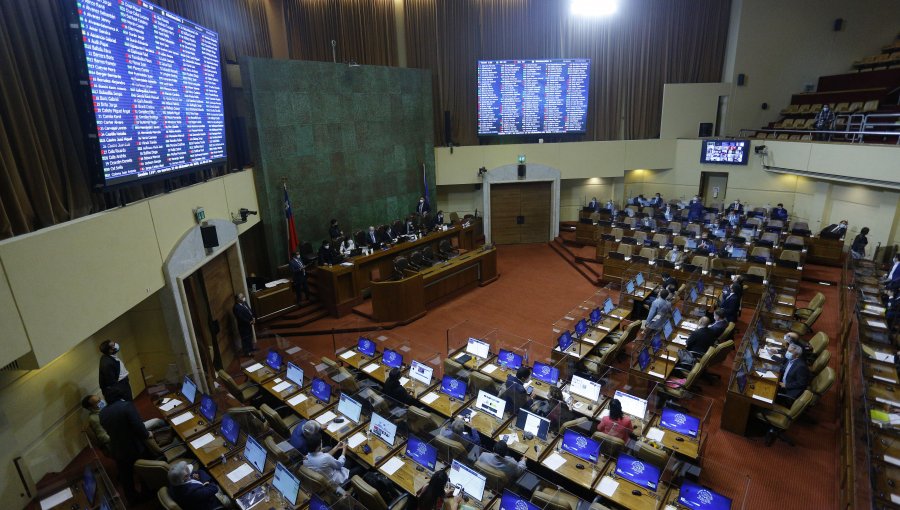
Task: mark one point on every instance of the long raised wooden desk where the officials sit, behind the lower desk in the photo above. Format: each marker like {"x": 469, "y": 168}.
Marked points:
{"x": 342, "y": 286}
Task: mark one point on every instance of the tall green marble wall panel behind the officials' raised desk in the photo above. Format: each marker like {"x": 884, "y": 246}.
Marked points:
{"x": 350, "y": 141}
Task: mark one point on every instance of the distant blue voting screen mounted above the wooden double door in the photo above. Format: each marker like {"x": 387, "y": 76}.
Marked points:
{"x": 531, "y": 97}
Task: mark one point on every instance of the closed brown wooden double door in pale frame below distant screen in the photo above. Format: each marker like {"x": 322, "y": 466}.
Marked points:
{"x": 520, "y": 212}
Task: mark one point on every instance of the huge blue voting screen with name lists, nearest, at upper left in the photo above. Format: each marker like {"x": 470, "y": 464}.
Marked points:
{"x": 152, "y": 83}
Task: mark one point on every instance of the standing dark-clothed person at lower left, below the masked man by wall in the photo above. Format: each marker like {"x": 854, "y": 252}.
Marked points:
{"x": 127, "y": 435}
